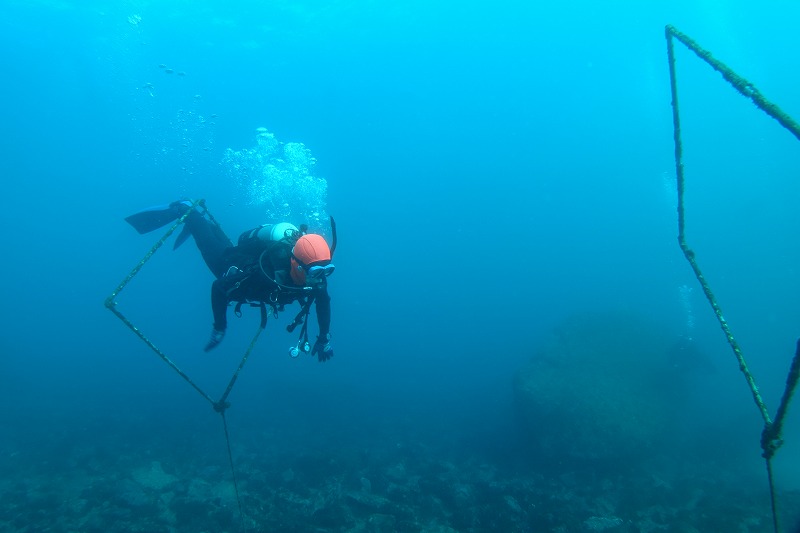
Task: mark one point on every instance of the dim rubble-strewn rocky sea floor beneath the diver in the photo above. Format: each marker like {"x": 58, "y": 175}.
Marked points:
{"x": 412, "y": 487}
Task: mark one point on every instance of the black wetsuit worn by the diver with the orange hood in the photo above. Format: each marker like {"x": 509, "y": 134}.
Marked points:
{"x": 240, "y": 277}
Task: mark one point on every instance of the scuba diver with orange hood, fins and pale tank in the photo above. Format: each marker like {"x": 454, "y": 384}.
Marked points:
{"x": 271, "y": 265}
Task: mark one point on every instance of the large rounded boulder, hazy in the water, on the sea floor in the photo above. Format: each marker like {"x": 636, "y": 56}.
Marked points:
{"x": 603, "y": 386}
